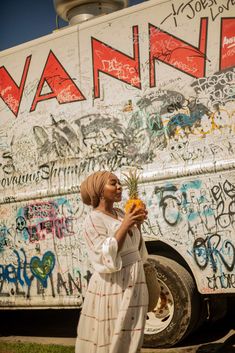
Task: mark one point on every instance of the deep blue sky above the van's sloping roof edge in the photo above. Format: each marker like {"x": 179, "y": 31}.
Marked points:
{"x": 24, "y": 20}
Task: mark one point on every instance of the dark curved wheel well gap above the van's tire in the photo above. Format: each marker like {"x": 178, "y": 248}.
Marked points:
{"x": 157, "y": 247}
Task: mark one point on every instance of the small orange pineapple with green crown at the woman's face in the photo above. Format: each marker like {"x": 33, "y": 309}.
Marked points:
{"x": 132, "y": 184}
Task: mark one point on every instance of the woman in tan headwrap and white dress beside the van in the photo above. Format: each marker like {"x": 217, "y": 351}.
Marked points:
{"x": 114, "y": 310}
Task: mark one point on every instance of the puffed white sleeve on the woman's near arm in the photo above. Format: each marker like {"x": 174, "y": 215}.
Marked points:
{"x": 102, "y": 245}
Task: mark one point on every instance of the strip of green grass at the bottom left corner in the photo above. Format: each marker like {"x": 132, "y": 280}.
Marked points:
{"x": 34, "y": 348}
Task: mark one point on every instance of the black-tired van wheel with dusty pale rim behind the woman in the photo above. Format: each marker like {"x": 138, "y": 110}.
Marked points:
{"x": 178, "y": 308}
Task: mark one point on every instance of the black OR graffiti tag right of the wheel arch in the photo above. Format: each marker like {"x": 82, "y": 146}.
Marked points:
{"x": 213, "y": 251}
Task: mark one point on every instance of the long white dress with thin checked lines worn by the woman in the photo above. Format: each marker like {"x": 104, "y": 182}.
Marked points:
{"x": 113, "y": 315}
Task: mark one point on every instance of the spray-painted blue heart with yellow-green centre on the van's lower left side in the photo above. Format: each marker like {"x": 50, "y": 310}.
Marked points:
{"x": 41, "y": 269}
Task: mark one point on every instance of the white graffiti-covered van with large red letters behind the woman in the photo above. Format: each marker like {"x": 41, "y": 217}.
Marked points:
{"x": 151, "y": 87}
